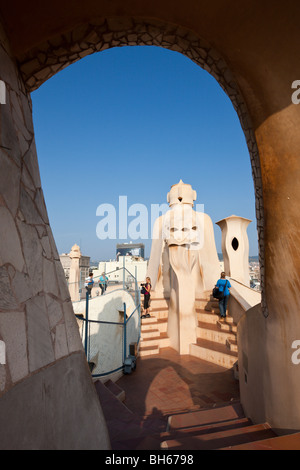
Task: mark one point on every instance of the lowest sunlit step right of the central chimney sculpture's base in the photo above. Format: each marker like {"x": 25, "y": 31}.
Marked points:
{"x": 213, "y": 352}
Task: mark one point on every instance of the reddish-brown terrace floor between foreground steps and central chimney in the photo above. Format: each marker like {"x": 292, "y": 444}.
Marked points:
{"x": 171, "y": 383}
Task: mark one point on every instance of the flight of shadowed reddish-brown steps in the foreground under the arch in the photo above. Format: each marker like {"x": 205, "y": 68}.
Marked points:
{"x": 220, "y": 427}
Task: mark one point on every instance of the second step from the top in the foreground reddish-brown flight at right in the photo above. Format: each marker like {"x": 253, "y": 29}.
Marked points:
{"x": 221, "y": 439}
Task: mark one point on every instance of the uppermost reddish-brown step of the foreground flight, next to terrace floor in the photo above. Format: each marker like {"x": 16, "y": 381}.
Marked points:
{"x": 206, "y": 416}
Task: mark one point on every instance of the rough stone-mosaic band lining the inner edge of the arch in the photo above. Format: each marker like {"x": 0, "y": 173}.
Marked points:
{"x": 59, "y": 52}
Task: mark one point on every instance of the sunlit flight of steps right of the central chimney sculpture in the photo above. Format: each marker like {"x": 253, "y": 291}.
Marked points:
{"x": 216, "y": 338}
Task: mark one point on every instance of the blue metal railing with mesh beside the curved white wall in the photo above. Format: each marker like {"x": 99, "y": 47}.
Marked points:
{"x": 132, "y": 288}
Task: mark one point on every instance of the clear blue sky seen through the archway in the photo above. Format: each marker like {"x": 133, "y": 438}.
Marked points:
{"x": 132, "y": 122}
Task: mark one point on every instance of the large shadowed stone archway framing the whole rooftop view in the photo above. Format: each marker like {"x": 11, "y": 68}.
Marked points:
{"x": 44, "y": 355}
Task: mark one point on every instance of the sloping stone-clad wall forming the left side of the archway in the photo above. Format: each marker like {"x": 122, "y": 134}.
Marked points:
{"x": 37, "y": 323}
